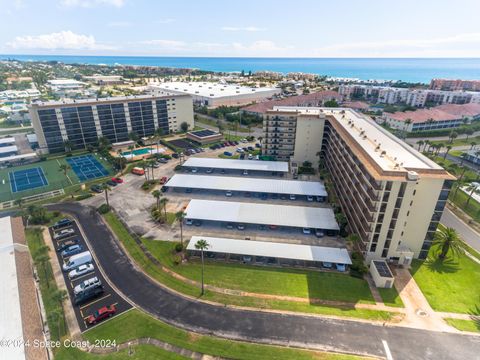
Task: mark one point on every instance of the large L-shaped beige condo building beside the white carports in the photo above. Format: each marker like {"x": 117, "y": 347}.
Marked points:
{"x": 392, "y": 196}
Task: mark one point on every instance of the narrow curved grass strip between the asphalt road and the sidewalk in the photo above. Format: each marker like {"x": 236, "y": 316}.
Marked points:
{"x": 181, "y": 286}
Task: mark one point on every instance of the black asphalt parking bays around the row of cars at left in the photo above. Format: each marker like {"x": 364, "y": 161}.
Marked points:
{"x": 107, "y": 298}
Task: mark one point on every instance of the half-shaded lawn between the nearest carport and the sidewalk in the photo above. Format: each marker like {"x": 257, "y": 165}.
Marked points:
{"x": 266, "y": 280}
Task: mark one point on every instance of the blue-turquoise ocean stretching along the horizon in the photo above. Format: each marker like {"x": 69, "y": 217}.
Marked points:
{"x": 405, "y": 69}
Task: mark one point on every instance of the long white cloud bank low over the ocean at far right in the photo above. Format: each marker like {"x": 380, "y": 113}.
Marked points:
{"x": 441, "y": 46}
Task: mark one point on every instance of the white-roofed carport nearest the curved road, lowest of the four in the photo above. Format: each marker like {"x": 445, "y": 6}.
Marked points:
{"x": 271, "y": 252}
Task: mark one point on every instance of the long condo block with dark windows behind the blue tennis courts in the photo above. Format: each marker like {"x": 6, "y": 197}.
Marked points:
{"x": 83, "y": 122}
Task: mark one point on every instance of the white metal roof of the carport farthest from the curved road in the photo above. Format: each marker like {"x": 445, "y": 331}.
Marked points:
{"x": 259, "y": 165}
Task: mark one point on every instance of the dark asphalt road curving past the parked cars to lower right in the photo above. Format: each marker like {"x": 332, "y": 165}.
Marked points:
{"x": 295, "y": 330}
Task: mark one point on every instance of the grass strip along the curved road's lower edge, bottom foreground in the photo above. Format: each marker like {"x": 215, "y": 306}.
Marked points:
{"x": 135, "y": 324}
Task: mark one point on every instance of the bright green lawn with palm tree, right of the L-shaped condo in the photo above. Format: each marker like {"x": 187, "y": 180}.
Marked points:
{"x": 452, "y": 285}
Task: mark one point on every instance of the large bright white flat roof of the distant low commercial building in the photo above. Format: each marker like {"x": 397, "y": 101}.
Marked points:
{"x": 214, "y": 90}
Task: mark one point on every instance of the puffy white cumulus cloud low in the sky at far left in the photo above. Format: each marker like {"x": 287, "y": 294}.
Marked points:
{"x": 66, "y": 40}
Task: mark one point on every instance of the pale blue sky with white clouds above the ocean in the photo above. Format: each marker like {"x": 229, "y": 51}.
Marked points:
{"x": 279, "y": 28}
